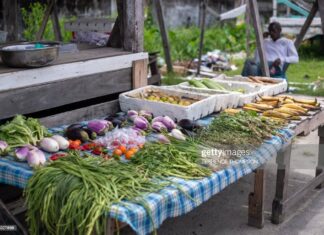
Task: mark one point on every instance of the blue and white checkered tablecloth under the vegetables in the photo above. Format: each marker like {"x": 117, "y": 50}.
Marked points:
{"x": 169, "y": 202}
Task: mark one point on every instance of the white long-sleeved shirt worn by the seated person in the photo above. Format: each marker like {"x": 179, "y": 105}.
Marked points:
{"x": 283, "y": 48}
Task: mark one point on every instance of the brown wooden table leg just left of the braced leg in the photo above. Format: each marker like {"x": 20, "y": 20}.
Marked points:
{"x": 256, "y": 200}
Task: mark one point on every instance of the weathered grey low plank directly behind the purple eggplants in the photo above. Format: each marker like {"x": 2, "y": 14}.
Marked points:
{"x": 82, "y": 114}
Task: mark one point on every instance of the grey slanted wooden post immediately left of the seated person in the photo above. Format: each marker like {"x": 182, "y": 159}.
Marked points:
{"x": 259, "y": 37}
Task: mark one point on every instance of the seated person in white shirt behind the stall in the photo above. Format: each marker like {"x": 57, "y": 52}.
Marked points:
{"x": 279, "y": 52}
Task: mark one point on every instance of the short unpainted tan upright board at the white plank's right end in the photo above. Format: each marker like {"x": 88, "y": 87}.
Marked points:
{"x": 139, "y": 74}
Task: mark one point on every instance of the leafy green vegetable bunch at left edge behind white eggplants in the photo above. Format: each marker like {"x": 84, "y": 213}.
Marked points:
{"x": 21, "y": 131}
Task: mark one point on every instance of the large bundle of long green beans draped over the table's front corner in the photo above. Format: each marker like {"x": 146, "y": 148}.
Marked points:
{"x": 72, "y": 194}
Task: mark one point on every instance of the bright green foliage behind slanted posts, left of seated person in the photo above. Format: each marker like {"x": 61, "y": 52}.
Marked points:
{"x": 184, "y": 42}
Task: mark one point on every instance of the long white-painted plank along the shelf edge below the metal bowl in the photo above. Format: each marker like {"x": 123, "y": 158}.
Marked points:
{"x": 36, "y": 77}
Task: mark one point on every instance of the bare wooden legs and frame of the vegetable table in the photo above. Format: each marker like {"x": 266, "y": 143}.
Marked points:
{"x": 282, "y": 202}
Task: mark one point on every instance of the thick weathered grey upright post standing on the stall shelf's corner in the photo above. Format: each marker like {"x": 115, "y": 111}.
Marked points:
{"x": 134, "y": 25}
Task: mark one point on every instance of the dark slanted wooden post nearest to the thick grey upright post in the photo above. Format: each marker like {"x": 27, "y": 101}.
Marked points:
{"x": 165, "y": 41}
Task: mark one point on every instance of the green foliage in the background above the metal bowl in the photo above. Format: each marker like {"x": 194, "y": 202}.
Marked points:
{"x": 33, "y": 17}
